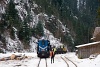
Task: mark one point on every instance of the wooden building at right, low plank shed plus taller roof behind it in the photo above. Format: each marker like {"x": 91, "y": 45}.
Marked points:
{"x": 85, "y": 50}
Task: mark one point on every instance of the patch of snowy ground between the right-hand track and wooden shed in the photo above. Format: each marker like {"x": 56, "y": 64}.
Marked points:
{"x": 84, "y": 62}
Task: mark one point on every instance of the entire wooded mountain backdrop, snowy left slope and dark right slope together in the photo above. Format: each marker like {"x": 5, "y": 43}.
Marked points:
{"x": 71, "y": 21}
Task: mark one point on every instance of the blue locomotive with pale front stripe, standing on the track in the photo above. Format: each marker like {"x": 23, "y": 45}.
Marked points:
{"x": 43, "y": 48}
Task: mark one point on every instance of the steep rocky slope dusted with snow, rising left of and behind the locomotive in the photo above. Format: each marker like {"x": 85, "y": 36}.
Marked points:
{"x": 23, "y": 22}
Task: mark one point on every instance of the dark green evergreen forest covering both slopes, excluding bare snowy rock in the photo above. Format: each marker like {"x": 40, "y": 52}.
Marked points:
{"x": 79, "y": 16}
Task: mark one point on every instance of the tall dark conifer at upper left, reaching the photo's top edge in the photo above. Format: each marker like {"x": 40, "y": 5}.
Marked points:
{"x": 11, "y": 15}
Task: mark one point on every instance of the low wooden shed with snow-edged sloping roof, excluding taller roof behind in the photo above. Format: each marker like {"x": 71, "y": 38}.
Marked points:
{"x": 85, "y": 50}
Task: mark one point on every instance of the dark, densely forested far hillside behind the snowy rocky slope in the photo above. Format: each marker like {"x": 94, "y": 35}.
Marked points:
{"x": 80, "y": 16}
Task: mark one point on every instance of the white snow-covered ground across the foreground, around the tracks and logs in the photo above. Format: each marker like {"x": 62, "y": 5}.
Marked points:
{"x": 33, "y": 62}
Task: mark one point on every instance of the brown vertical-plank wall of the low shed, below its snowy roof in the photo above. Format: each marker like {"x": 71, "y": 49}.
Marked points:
{"x": 85, "y": 52}
